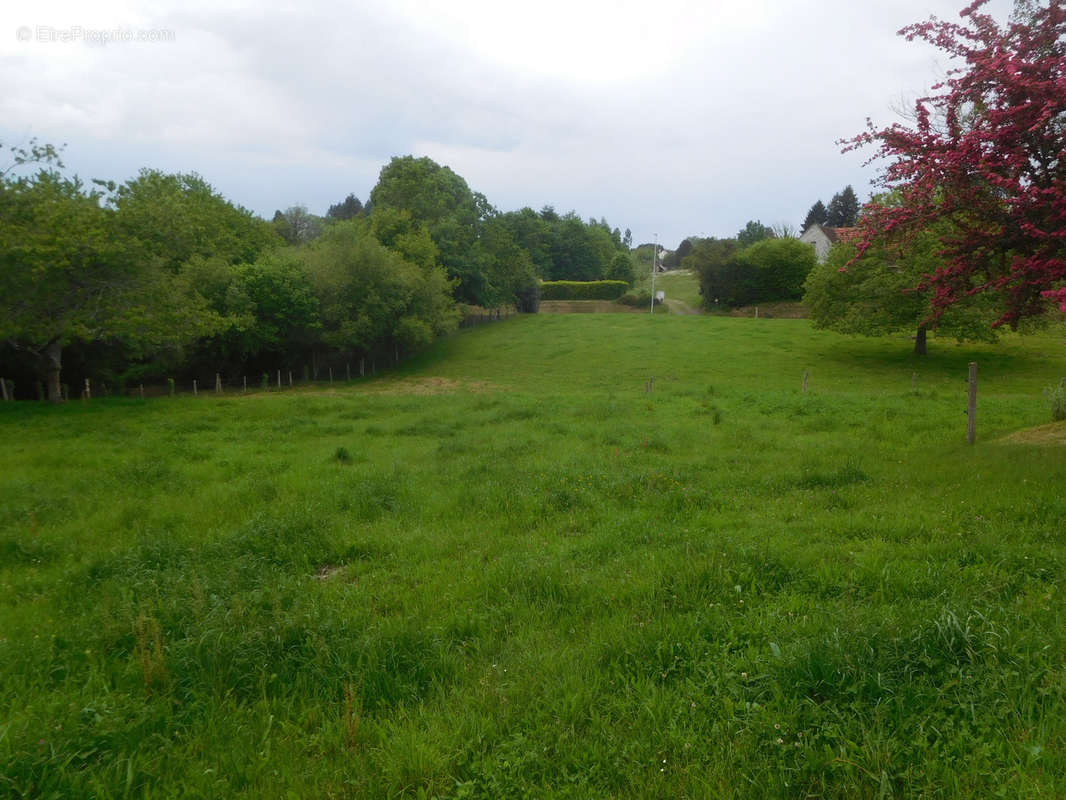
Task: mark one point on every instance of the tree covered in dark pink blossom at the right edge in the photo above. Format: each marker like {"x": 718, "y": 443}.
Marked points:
{"x": 986, "y": 161}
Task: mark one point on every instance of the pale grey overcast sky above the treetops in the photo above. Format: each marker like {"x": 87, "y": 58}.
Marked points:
{"x": 670, "y": 118}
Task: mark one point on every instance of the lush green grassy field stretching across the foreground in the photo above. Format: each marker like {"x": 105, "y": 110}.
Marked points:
{"x": 510, "y": 570}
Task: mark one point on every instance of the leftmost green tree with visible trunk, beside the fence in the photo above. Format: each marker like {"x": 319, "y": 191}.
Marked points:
{"x": 70, "y": 273}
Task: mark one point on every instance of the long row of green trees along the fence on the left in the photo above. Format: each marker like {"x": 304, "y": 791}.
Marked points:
{"x": 163, "y": 276}
